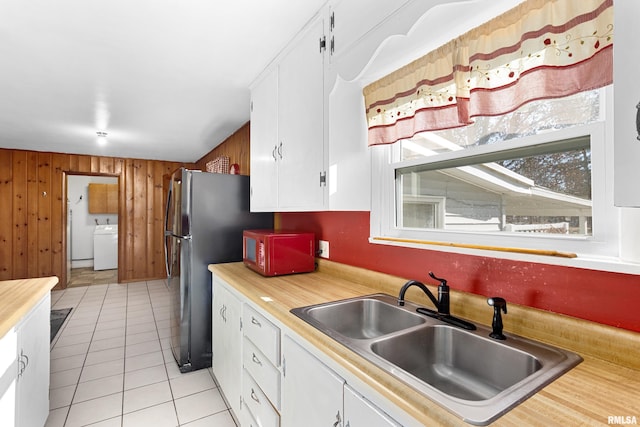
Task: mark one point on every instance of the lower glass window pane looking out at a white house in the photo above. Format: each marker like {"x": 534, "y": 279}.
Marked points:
{"x": 538, "y": 194}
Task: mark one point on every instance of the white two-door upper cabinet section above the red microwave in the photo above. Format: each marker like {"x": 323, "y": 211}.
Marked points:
{"x": 288, "y": 170}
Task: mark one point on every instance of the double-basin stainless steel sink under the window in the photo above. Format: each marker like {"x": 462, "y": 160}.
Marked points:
{"x": 475, "y": 377}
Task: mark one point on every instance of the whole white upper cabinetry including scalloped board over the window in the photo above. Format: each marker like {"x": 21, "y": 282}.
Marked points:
{"x": 308, "y": 128}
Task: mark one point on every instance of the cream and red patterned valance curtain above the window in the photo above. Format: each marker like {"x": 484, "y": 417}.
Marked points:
{"x": 540, "y": 49}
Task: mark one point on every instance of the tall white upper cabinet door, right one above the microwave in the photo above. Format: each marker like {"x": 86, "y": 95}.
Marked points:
{"x": 301, "y": 122}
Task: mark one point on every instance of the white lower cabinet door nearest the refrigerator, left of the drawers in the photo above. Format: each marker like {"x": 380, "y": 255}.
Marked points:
{"x": 227, "y": 341}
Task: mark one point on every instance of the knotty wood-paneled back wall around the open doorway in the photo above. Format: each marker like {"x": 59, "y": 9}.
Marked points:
{"x": 33, "y": 212}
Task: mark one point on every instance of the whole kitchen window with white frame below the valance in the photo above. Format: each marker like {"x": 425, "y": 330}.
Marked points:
{"x": 532, "y": 179}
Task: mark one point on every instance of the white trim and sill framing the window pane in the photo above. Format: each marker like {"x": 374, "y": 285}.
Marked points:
{"x": 600, "y": 251}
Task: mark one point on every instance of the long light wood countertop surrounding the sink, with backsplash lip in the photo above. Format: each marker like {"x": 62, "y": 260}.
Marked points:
{"x": 605, "y": 384}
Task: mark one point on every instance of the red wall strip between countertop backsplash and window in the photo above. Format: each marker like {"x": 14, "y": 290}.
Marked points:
{"x": 603, "y": 297}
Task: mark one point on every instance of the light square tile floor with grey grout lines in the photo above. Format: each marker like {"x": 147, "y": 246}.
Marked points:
{"x": 111, "y": 364}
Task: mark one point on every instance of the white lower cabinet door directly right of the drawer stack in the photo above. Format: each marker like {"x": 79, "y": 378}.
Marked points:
{"x": 311, "y": 392}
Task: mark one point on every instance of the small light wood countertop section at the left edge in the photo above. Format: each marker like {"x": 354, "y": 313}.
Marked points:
{"x": 18, "y": 297}
